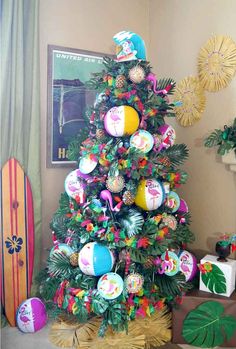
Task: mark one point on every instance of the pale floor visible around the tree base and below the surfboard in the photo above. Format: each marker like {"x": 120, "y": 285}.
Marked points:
{"x": 12, "y": 338}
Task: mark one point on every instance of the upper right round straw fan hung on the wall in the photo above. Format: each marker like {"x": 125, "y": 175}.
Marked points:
{"x": 217, "y": 63}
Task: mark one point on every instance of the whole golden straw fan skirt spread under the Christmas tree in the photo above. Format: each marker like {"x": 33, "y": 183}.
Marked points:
{"x": 143, "y": 333}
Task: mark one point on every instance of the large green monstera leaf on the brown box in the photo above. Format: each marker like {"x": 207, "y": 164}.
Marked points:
{"x": 207, "y": 326}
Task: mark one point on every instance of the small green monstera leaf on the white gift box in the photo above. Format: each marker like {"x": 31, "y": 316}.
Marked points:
{"x": 214, "y": 280}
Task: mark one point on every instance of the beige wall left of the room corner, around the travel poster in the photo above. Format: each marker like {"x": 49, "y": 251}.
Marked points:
{"x": 83, "y": 24}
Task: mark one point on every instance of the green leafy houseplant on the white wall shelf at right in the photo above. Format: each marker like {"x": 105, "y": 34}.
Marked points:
{"x": 224, "y": 139}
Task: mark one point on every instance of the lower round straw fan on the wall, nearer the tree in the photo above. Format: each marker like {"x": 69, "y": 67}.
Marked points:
{"x": 190, "y": 96}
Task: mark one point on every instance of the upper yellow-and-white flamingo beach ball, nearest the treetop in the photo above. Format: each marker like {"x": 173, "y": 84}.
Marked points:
{"x": 121, "y": 121}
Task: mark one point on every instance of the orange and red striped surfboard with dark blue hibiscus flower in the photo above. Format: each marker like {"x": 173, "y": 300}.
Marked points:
{"x": 16, "y": 238}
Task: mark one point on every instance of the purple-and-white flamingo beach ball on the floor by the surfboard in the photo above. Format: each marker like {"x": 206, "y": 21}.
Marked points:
{"x": 31, "y": 315}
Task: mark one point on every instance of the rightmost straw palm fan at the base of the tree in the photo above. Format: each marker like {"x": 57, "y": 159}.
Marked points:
{"x": 156, "y": 328}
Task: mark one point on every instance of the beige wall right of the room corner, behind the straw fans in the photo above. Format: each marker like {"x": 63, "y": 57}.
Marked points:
{"x": 178, "y": 29}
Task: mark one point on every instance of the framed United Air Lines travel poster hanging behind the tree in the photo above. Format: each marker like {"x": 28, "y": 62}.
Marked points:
{"x": 68, "y": 97}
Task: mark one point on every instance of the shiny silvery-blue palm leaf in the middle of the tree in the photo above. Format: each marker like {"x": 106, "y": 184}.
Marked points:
{"x": 131, "y": 222}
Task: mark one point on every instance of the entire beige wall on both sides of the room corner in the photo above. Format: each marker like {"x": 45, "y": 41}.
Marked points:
{"x": 174, "y": 31}
